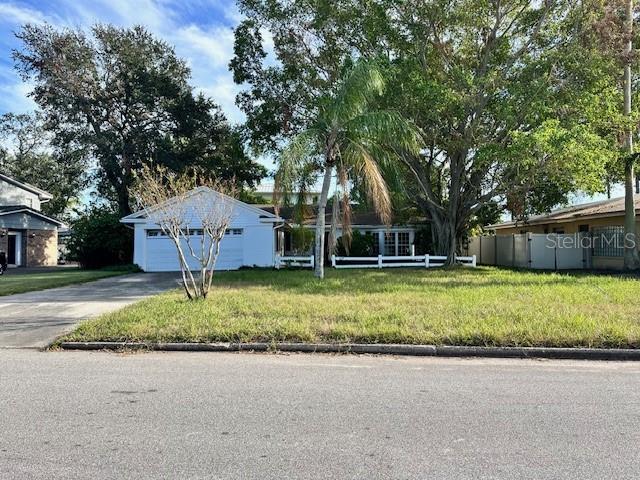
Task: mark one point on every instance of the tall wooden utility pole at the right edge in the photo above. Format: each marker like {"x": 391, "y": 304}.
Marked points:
{"x": 631, "y": 259}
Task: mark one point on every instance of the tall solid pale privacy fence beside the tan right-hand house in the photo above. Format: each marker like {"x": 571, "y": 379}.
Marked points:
{"x": 532, "y": 250}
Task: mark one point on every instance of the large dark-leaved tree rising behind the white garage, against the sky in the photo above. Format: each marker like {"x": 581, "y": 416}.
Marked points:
{"x": 125, "y": 96}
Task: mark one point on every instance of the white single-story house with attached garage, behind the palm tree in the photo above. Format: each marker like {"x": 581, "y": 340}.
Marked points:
{"x": 256, "y": 234}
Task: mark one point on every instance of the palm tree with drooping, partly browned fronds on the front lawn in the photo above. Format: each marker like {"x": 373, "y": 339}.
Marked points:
{"x": 351, "y": 139}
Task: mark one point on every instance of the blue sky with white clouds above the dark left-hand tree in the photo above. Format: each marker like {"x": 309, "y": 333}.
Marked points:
{"x": 200, "y": 30}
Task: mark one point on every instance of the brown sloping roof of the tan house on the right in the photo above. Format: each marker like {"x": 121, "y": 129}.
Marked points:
{"x": 613, "y": 207}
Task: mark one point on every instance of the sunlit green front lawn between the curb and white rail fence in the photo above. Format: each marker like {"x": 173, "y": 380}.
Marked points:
{"x": 484, "y": 306}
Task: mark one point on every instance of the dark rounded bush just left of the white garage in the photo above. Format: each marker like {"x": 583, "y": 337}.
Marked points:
{"x": 98, "y": 239}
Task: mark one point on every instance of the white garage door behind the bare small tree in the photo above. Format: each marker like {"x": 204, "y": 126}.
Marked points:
{"x": 162, "y": 255}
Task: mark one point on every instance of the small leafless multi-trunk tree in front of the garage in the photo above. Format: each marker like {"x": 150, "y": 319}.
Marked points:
{"x": 194, "y": 212}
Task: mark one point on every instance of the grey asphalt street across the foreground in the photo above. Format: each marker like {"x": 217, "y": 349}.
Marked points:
{"x": 261, "y": 416}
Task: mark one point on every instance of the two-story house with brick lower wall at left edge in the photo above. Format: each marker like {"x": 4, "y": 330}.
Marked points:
{"x": 28, "y": 238}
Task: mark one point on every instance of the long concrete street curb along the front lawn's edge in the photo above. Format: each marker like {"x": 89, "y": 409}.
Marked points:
{"x": 384, "y": 349}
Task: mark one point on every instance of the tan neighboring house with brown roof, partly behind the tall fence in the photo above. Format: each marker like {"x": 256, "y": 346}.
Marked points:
{"x": 602, "y": 222}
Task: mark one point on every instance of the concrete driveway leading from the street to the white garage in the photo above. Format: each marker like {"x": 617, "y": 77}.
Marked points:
{"x": 35, "y": 319}
